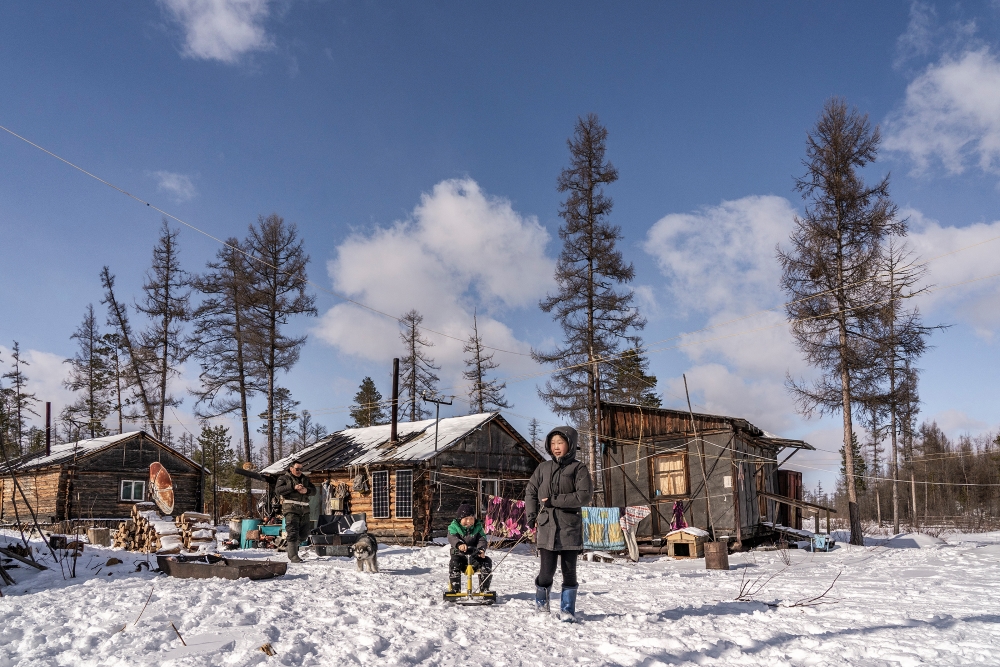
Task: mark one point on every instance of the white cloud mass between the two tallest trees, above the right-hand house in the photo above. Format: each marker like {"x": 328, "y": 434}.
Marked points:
{"x": 720, "y": 265}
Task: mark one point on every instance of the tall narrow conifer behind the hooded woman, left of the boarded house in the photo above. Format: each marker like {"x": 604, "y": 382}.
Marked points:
{"x": 595, "y": 313}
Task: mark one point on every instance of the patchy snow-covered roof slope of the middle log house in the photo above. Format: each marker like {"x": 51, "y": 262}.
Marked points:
{"x": 362, "y": 446}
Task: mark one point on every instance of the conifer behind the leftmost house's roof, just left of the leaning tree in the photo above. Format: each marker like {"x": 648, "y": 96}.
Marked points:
{"x": 90, "y": 374}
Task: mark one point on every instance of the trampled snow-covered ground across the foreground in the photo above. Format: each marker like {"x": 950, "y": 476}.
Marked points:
{"x": 919, "y": 602}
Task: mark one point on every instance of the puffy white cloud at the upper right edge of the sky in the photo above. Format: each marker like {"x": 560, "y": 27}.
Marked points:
{"x": 951, "y": 114}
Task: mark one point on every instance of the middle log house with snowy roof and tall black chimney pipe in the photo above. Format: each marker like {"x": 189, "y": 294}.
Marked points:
{"x": 411, "y": 488}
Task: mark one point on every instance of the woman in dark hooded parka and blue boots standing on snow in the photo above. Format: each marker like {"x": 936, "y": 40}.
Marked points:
{"x": 552, "y": 501}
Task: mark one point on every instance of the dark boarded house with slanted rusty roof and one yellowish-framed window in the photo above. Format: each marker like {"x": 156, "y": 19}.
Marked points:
{"x": 651, "y": 456}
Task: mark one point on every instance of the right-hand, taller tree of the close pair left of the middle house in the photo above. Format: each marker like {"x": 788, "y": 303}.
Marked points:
{"x": 278, "y": 280}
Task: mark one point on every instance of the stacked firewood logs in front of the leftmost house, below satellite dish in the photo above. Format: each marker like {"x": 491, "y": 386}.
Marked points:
{"x": 149, "y": 532}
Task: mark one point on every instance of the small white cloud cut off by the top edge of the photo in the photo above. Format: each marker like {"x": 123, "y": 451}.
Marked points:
{"x": 223, "y": 30}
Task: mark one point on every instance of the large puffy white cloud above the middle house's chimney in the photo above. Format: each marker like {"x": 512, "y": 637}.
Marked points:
{"x": 460, "y": 250}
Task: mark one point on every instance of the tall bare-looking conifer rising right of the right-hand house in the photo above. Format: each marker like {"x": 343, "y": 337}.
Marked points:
{"x": 829, "y": 272}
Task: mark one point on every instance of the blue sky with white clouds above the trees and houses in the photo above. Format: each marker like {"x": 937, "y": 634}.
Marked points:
{"x": 417, "y": 147}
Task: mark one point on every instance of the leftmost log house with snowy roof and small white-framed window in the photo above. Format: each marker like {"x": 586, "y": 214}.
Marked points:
{"x": 96, "y": 480}
